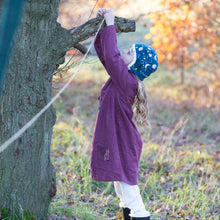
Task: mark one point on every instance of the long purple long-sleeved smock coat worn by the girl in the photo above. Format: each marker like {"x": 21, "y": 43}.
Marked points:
{"x": 117, "y": 144}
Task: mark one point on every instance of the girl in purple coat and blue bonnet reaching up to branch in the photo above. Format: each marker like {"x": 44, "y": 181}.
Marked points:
{"x": 117, "y": 144}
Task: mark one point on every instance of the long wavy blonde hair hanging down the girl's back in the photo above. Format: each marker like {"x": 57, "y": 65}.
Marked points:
{"x": 140, "y": 106}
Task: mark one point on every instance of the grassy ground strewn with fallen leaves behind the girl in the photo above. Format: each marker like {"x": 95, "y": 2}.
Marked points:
{"x": 180, "y": 163}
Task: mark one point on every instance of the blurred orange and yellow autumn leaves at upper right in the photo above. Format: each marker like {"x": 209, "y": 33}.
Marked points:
{"x": 187, "y": 33}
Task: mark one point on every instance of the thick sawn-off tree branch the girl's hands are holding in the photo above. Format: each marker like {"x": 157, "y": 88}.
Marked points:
{"x": 89, "y": 28}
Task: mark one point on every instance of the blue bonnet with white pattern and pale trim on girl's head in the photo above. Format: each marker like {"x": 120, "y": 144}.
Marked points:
{"x": 145, "y": 61}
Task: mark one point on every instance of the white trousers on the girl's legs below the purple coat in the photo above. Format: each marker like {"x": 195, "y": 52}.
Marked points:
{"x": 130, "y": 197}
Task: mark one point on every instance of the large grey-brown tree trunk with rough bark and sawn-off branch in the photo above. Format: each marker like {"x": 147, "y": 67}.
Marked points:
{"x": 27, "y": 176}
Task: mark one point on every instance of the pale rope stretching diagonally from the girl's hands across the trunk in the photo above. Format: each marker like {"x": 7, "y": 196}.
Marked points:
{"x": 26, "y": 126}
